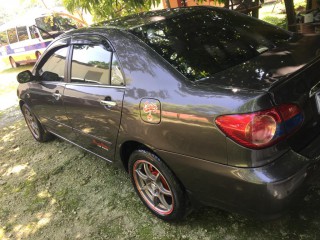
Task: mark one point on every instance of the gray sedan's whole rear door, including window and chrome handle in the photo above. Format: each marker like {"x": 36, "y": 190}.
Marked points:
{"x": 94, "y": 94}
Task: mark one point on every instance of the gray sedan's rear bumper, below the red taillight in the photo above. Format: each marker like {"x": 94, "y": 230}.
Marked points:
{"x": 264, "y": 192}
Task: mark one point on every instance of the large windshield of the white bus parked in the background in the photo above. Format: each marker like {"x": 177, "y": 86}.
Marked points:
{"x": 52, "y": 25}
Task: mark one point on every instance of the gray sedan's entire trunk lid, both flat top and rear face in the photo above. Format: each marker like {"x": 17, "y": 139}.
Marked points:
{"x": 290, "y": 74}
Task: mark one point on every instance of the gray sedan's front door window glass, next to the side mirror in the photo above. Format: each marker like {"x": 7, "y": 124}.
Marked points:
{"x": 53, "y": 68}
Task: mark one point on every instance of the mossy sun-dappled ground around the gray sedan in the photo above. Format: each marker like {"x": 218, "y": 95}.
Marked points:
{"x": 57, "y": 191}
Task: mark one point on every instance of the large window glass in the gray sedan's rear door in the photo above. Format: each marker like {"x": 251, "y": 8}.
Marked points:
{"x": 90, "y": 64}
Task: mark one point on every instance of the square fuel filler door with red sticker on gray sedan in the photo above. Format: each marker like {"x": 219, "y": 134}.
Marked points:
{"x": 150, "y": 110}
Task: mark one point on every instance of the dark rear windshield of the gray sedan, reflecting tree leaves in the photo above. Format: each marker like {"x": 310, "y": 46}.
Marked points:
{"x": 204, "y": 42}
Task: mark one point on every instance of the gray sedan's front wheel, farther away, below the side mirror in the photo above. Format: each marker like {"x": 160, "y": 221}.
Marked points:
{"x": 35, "y": 127}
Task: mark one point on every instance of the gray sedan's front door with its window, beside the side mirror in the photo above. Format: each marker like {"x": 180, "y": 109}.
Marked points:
{"x": 46, "y": 95}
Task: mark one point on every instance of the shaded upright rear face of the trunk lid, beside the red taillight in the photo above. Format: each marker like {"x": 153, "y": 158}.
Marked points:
{"x": 303, "y": 89}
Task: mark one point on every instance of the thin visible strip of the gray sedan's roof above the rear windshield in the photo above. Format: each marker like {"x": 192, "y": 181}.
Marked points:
{"x": 145, "y": 18}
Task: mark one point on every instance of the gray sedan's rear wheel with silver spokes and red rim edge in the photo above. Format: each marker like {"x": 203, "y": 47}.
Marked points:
{"x": 156, "y": 186}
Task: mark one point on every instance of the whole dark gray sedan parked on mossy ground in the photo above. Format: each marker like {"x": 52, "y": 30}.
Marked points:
{"x": 199, "y": 105}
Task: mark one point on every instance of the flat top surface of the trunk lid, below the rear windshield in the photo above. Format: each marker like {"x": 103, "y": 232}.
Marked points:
{"x": 271, "y": 67}
